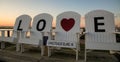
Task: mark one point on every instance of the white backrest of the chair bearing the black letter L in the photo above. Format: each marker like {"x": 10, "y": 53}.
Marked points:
{"x": 22, "y": 24}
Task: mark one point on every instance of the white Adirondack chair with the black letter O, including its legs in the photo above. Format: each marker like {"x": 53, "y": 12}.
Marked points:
{"x": 41, "y": 26}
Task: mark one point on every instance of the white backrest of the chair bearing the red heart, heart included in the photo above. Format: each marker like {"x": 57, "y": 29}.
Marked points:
{"x": 67, "y": 25}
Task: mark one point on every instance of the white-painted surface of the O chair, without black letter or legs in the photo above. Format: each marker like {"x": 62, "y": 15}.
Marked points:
{"x": 34, "y": 33}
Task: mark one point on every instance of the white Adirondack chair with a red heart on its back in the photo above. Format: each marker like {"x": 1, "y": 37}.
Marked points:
{"x": 66, "y": 32}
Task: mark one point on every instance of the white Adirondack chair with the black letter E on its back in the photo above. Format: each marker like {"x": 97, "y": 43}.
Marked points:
{"x": 100, "y": 31}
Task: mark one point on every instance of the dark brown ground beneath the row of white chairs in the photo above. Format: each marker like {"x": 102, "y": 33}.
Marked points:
{"x": 32, "y": 54}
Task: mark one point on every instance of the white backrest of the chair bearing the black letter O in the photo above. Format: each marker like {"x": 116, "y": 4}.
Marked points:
{"x": 41, "y": 23}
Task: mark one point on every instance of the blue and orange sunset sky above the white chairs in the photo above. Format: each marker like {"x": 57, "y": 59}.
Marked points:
{"x": 11, "y": 9}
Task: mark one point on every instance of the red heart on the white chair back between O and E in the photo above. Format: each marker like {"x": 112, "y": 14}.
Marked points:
{"x": 67, "y": 24}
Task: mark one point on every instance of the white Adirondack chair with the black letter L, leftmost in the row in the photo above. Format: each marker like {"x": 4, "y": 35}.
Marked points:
{"x": 22, "y": 24}
